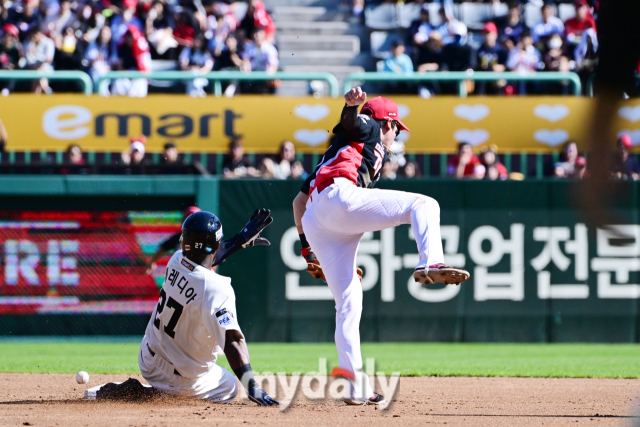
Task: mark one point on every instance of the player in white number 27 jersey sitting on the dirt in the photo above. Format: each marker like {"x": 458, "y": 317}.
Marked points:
{"x": 196, "y": 317}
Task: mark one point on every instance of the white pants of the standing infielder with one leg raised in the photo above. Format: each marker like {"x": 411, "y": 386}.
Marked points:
{"x": 334, "y": 223}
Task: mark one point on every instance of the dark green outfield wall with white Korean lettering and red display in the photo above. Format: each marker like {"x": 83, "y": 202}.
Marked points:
{"x": 540, "y": 273}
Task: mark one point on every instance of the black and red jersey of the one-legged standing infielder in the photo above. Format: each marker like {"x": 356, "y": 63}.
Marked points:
{"x": 356, "y": 154}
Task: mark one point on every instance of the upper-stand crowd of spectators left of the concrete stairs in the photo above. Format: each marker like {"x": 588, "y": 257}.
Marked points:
{"x": 100, "y": 36}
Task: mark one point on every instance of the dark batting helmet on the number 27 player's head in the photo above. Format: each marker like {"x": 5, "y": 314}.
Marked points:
{"x": 201, "y": 233}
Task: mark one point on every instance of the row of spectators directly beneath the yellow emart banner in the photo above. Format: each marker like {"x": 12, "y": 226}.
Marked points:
{"x": 485, "y": 163}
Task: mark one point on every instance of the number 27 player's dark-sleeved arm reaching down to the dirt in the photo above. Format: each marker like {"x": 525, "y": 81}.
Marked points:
{"x": 235, "y": 348}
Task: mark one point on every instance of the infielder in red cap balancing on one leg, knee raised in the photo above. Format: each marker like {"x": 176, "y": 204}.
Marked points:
{"x": 337, "y": 205}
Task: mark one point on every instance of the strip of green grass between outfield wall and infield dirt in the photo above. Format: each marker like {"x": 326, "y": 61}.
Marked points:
{"x": 414, "y": 359}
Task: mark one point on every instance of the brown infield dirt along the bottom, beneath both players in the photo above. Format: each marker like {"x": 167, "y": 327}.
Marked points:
{"x": 56, "y": 400}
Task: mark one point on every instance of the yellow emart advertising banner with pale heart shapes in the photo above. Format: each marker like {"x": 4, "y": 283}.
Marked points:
{"x": 535, "y": 124}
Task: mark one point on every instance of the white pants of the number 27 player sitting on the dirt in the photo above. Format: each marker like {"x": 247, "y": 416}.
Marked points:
{"x": 218, "y": 385}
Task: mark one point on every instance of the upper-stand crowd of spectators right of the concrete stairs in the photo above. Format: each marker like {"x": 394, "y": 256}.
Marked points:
{"x": 508, "y": 44}
